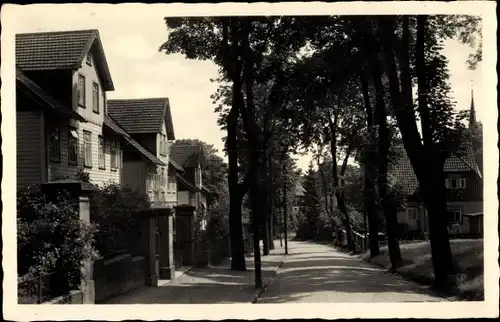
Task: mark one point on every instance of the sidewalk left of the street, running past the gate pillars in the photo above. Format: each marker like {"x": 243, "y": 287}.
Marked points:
{"x": 212, "y": 285}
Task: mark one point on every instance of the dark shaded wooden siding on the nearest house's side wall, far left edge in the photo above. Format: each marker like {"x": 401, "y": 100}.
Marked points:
{"x": 30, "y": 151}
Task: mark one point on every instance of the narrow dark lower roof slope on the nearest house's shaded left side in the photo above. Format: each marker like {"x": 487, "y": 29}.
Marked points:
{"x": 38, "y": 94}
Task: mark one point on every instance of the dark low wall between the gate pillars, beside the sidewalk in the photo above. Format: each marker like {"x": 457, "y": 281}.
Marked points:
{"x": 118, "y": 275}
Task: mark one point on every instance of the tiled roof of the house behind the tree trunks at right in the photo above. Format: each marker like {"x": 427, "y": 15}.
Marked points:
{"x": 403, "y": 173}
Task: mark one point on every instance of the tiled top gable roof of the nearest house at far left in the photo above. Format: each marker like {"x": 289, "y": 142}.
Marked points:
{"x": 62, "y": 50}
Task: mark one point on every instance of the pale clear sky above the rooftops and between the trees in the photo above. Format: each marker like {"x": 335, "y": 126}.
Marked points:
{"x": 139, "y": 70}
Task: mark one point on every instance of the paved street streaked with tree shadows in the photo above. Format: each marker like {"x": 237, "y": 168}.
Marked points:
{"x": 320, "y": 273}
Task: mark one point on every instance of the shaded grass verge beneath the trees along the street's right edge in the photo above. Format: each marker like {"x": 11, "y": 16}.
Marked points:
{"x": 417, "y": 266}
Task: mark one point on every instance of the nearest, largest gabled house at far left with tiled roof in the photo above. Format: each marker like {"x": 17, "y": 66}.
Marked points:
{"x": 62, "y": 81}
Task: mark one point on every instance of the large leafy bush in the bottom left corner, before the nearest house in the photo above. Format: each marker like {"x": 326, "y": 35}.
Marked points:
{"x": 52, "y": 240}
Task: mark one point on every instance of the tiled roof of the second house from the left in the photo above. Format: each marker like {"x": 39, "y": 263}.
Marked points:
{"x": 145, "y": 115}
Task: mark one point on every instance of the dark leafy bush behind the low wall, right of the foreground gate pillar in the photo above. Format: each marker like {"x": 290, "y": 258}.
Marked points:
{"x": 115, "y": 210}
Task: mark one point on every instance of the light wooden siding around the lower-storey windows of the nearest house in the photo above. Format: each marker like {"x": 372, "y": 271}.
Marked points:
{"x": 97, "y": 176}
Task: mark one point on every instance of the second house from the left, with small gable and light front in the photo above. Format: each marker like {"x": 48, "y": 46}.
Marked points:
{"x": 149, "y": 122}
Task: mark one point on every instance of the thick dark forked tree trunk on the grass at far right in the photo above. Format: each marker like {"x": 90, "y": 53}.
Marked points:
{"x": 441, "y": 128}
